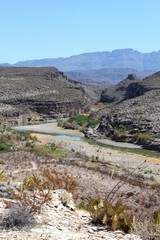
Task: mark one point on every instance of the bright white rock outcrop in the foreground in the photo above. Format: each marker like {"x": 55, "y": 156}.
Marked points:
{"x": 60, "y": 221}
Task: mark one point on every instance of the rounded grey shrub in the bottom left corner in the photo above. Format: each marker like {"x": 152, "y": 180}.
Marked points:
{"x": 18, "y": 216}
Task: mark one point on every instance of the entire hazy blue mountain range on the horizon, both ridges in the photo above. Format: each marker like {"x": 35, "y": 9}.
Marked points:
{"x": 104, "y": 68}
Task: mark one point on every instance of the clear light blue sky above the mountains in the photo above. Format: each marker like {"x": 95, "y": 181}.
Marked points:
{"x": 37, "y": 29}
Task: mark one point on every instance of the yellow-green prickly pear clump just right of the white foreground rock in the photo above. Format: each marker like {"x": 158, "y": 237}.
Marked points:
{"x": 104, "y": 212}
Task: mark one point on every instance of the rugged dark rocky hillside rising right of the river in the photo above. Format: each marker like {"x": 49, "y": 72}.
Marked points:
{"x": 134, "y": 114}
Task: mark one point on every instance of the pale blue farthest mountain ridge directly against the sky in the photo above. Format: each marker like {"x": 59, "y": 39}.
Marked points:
{"x": 122, "y": 58}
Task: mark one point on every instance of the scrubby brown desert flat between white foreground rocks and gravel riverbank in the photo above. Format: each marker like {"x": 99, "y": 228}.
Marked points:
{"x": 28, "y": 176}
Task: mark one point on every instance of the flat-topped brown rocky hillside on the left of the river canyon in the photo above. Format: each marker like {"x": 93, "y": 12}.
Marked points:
{"x": 45, "y": 92}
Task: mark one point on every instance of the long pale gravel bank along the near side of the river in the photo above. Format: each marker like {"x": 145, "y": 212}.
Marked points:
{"x": 120, "y": 161}
